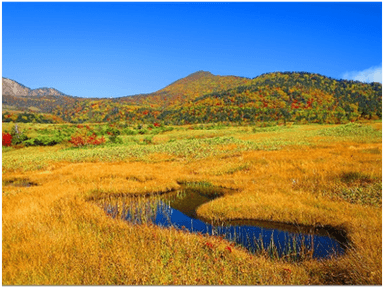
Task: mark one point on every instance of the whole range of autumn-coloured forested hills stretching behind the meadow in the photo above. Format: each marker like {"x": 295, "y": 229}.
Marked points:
{"x": 203, "y": 97}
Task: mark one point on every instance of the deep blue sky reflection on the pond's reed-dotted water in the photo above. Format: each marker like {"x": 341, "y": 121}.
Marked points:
{"x": 248, "y": 236}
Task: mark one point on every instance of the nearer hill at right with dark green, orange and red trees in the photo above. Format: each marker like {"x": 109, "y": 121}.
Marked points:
{"x": 289, "y": 96}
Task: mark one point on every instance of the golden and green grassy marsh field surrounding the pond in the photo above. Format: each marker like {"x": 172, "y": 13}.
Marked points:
{"x": 52, "y": 233}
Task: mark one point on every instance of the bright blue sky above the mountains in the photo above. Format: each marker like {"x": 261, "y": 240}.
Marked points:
{"x": 104, "y": 49}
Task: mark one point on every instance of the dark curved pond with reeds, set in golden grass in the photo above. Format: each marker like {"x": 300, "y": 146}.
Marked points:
{"x": 178, "y": 209}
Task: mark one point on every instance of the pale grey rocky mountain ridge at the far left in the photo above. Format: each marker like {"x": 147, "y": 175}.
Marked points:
{"x": 13, "y": 88}
